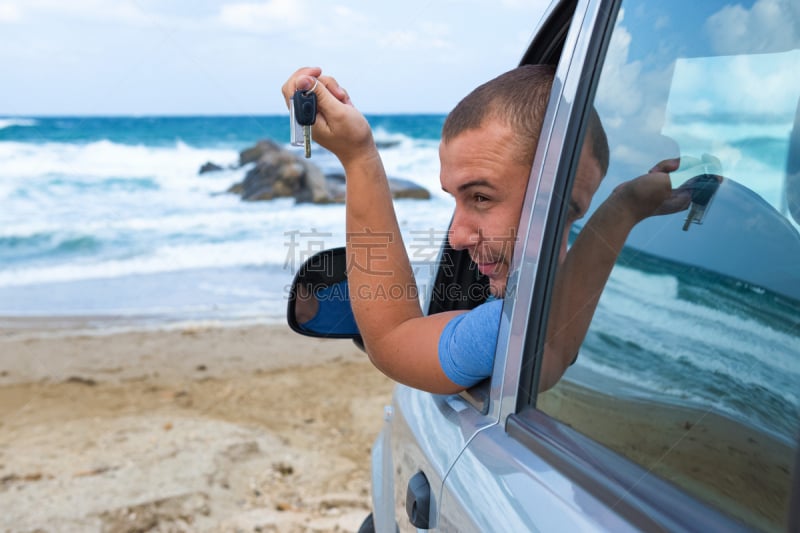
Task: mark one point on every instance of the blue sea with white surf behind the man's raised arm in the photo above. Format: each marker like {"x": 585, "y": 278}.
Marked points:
{"x": 109, "y": 216}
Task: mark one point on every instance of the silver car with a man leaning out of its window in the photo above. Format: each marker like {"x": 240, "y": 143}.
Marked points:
{"x": 682, "y": 409}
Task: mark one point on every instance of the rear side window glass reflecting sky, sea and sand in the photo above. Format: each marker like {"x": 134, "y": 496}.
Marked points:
{"x": 691, "y": 365}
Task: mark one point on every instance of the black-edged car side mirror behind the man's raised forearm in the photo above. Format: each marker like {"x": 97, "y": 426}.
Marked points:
{"x": 319, "y": 300}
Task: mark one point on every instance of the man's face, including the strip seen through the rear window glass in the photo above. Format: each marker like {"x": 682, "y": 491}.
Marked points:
{"x": 482, "y": 171}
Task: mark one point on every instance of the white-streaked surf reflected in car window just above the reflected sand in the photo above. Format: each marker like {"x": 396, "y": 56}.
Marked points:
{"x": 713, "y": 340}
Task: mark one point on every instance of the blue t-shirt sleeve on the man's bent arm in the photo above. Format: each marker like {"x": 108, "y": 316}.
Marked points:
{"x": 468, "y": 342}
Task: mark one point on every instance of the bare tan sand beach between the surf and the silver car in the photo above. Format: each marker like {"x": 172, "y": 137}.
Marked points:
{"x": 191, "y": 428}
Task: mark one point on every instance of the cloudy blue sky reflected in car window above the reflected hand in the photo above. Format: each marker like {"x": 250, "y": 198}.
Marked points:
{"x": 721, "y": 82}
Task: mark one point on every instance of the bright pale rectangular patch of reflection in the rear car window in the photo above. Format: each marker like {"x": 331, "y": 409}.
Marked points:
{"x": 740, "y": 109}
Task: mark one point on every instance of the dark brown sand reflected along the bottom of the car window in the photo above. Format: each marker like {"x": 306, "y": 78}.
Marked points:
{"x": 688, "y": 446}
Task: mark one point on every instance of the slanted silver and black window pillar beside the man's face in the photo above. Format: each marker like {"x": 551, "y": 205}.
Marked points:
{"x": 544, "y": 214}
